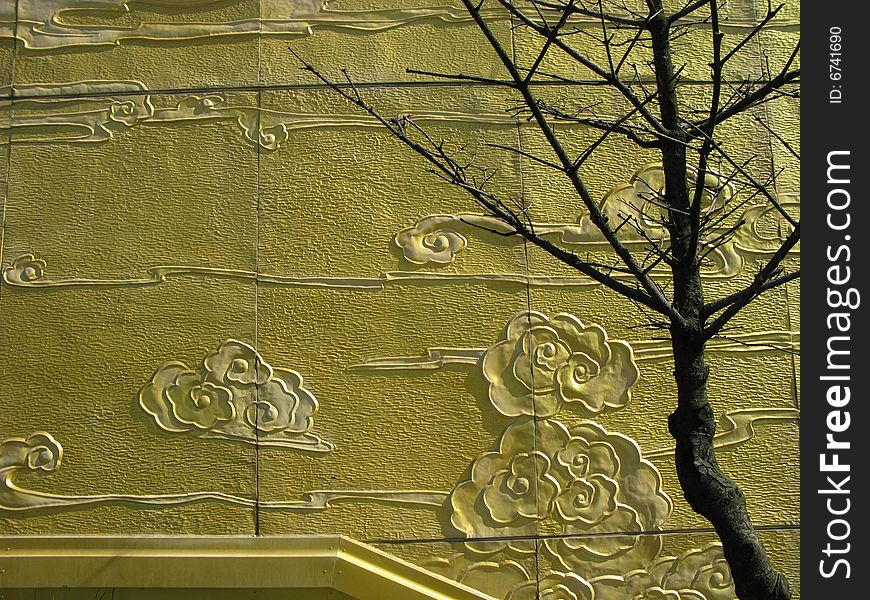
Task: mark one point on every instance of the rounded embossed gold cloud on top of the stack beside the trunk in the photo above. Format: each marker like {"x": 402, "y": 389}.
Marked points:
{"x": 542, "y": 362}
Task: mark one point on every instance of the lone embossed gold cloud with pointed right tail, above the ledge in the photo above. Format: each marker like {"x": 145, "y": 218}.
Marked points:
{"x": 234, "y": 395}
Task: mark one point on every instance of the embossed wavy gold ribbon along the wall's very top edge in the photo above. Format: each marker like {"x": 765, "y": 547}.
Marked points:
{"x": 49, "y": 24}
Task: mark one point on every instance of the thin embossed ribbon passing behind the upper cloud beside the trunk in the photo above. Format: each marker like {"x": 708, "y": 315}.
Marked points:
{"x": 644, "y": 351}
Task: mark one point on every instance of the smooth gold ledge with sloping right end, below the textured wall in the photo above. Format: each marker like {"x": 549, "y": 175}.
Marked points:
{"x": 292, "y": 562}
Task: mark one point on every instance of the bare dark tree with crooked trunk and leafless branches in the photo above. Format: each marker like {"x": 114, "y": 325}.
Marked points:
{"x": 630, "y": 40}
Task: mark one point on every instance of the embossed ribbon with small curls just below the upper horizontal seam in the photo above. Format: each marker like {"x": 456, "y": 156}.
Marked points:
{"x": 65, "y": 120}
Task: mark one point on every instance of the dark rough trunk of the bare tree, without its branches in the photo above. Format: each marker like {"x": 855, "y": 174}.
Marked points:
{"x": 707, "y": 489}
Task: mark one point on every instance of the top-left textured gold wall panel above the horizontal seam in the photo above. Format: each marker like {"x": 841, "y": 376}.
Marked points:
{"x": 159, "y": 45}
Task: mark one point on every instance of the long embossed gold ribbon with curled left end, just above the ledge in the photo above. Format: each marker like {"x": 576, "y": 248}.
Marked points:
{"x": 41, "y": 453}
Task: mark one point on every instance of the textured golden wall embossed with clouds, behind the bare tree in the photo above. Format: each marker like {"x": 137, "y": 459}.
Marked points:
{"x": 232, "y": 305}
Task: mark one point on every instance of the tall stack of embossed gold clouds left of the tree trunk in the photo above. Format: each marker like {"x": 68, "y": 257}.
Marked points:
{"x": 590, "y": 489}
